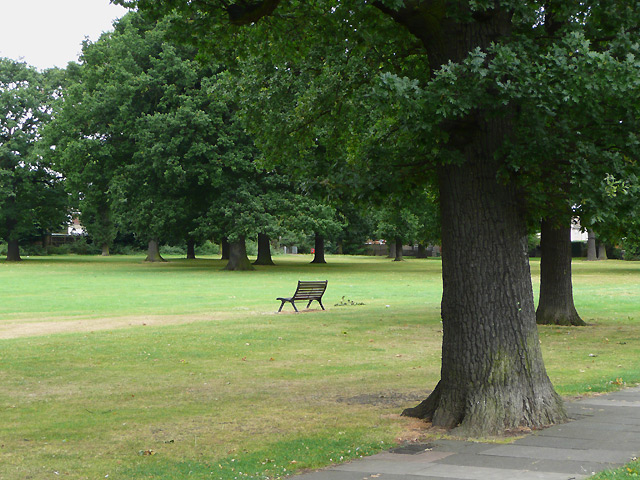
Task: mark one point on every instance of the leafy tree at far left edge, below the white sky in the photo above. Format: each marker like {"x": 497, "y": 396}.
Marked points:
{"x": 32, "y": 197}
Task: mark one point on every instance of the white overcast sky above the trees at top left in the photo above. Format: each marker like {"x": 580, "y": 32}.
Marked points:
{"x": 48, "y": 33}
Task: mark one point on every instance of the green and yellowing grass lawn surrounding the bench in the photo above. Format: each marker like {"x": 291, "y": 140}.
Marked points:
{"x": 113, "y": 368}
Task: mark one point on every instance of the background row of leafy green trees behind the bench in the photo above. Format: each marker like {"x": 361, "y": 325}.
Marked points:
{"x": 146, "y": 139}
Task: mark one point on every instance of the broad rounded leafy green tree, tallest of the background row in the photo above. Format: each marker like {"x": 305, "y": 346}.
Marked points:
{"x": 142, "y": 136}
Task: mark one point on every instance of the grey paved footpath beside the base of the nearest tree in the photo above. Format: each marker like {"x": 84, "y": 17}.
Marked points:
{"x": 604, "y": 433}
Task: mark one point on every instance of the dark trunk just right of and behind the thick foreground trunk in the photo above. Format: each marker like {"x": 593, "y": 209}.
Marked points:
{"x": 555, "y": 305}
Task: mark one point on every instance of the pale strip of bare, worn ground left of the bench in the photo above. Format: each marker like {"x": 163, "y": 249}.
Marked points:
{"x": 26, "y": 327}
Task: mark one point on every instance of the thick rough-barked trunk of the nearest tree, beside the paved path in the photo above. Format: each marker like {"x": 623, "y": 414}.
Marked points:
{"x": 493, "y": 376}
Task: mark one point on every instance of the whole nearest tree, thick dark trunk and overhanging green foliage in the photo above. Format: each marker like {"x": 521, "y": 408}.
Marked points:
{"x": 486, "y": 80}
